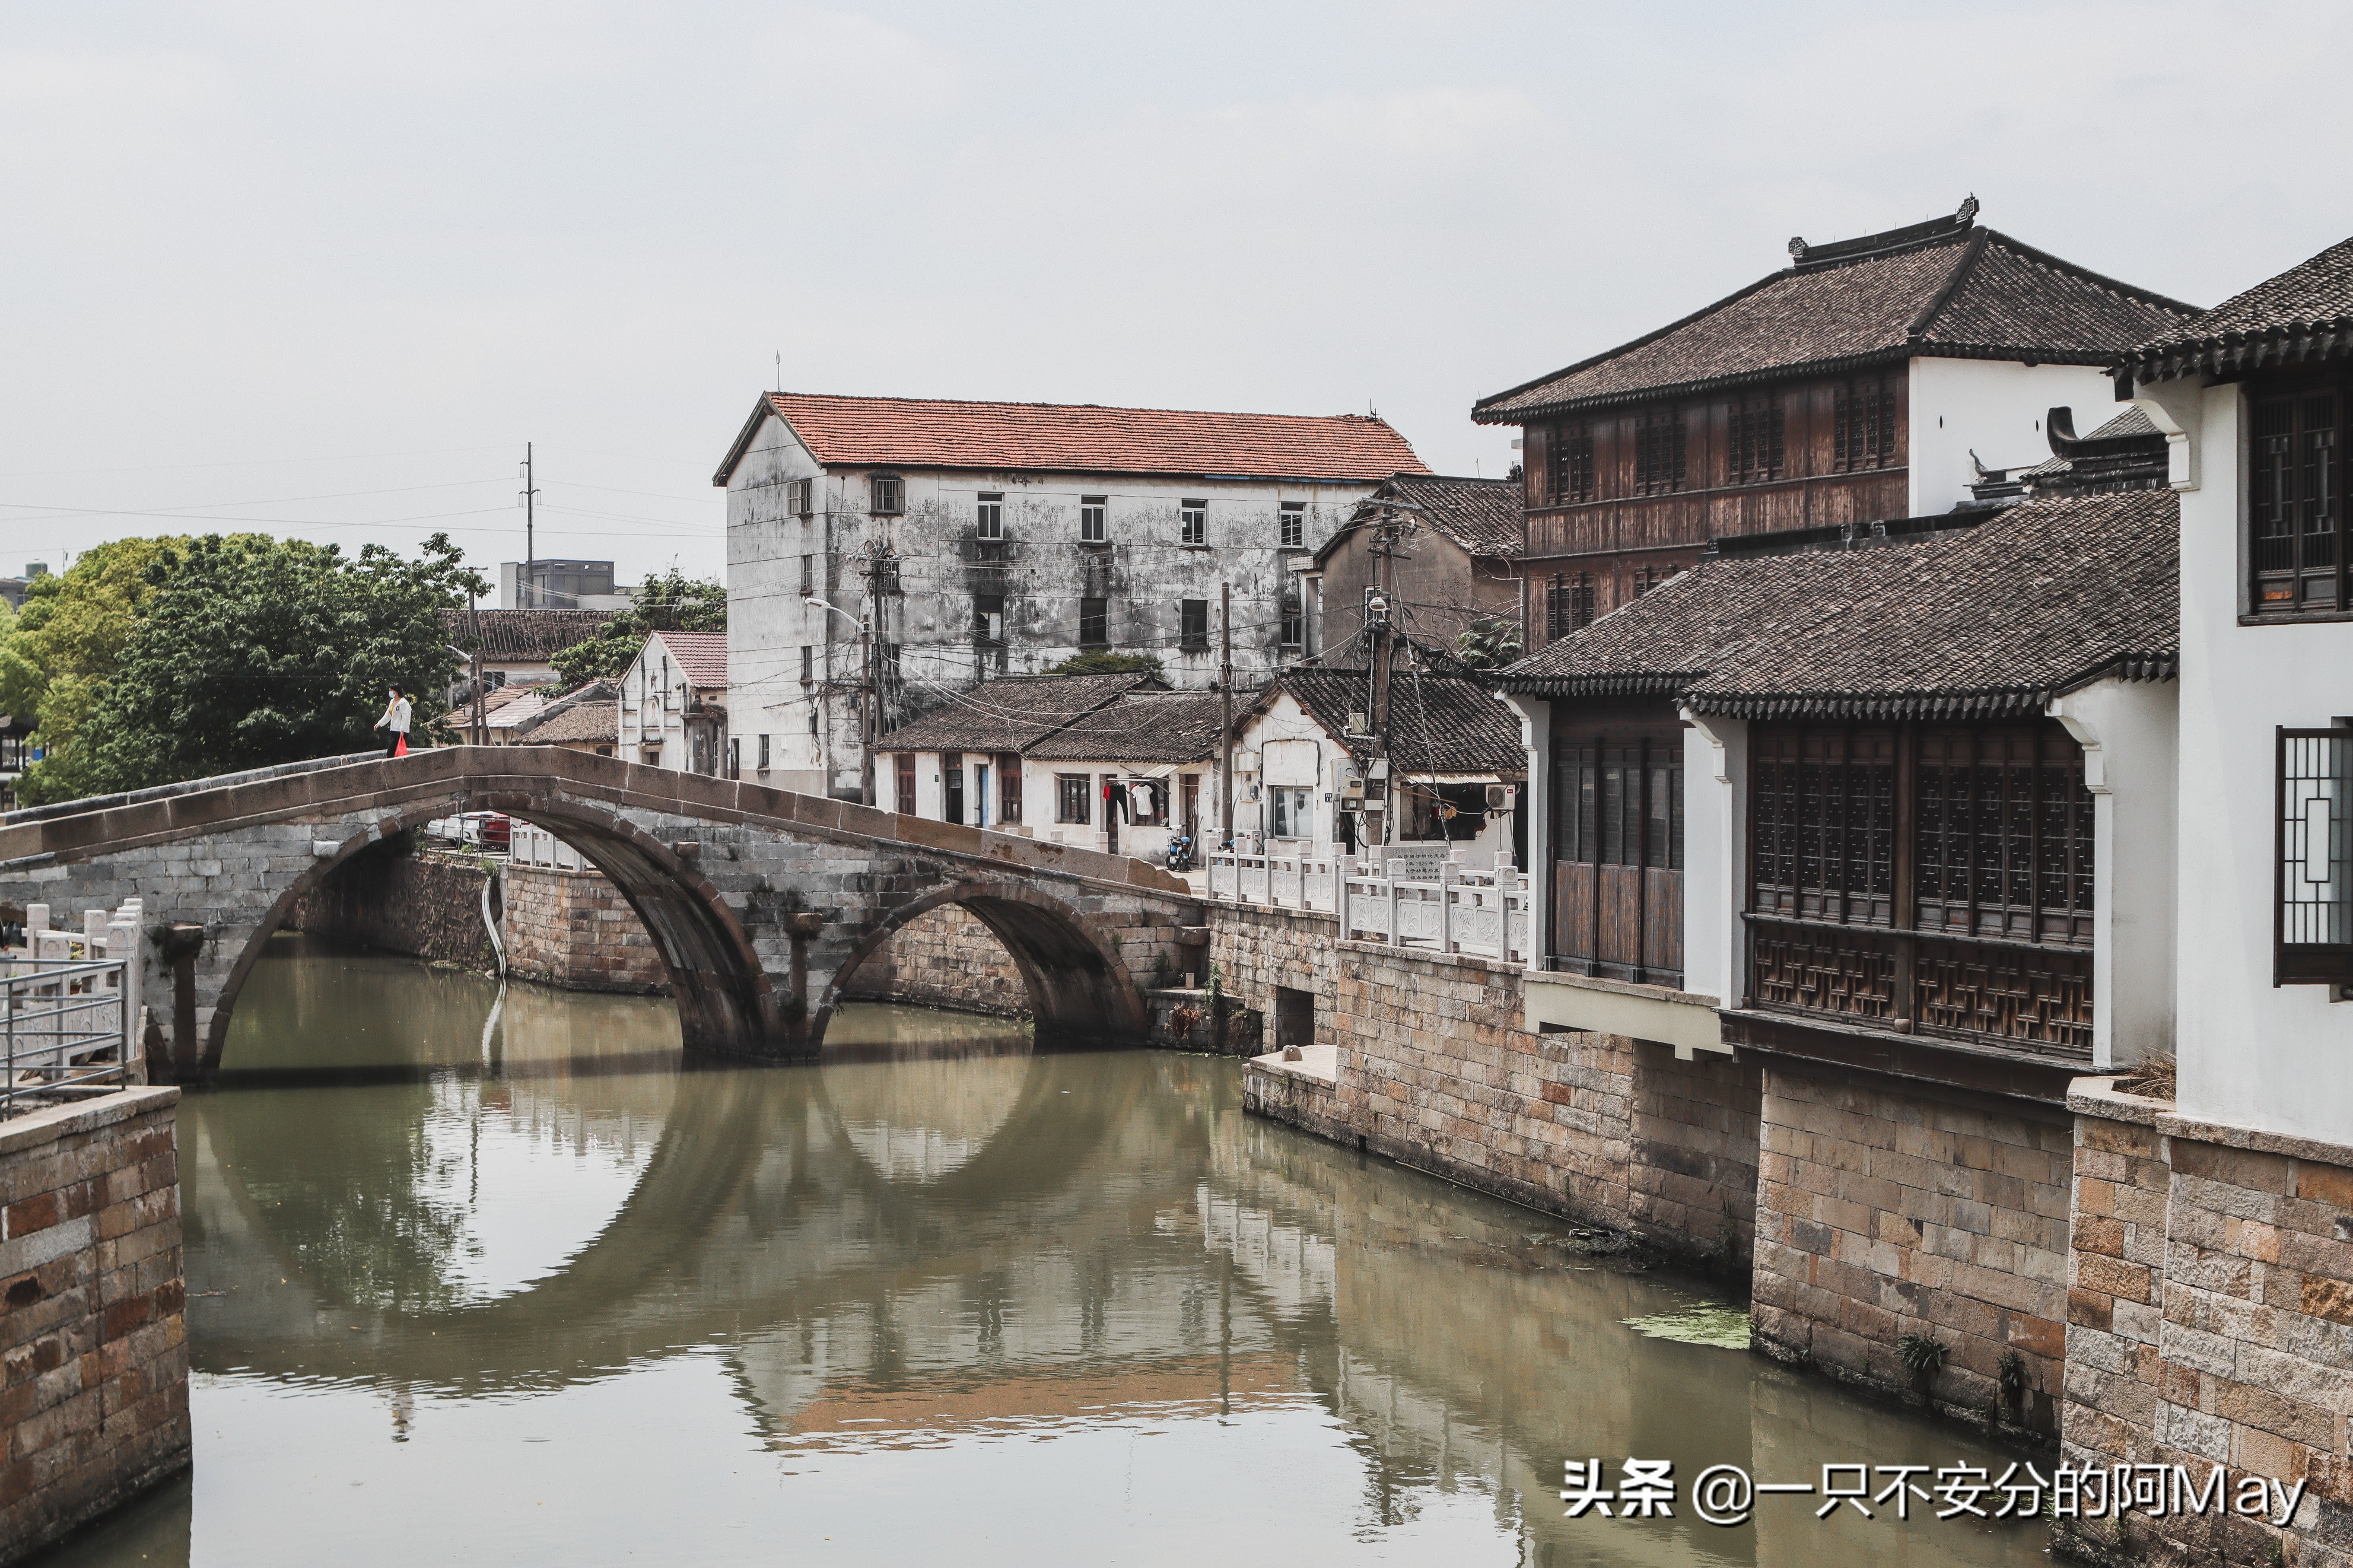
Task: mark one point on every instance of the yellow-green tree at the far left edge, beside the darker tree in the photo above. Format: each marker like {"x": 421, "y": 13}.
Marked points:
{"x": 65, "y": 649}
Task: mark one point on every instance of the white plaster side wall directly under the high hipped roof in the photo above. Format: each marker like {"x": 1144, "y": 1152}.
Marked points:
{"x": 1997, "y": 408}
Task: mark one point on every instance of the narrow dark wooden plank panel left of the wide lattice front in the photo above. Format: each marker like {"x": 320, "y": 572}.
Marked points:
{"x": 1618, "y": 842}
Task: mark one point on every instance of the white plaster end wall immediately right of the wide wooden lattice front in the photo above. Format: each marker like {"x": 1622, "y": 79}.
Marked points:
{"x": 2131, "y": 764}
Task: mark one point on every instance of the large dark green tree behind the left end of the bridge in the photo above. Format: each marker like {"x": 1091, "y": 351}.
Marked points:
{"x": 272, "y": 651}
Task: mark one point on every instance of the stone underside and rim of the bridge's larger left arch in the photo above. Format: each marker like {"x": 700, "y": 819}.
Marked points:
{"x": 724, "y": 997}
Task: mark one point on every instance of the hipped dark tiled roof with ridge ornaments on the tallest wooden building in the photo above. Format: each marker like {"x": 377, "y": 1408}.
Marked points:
{"x": 1935, "y": 291}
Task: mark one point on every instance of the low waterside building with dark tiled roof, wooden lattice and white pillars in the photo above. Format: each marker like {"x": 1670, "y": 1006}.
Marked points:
{"x": 1917, "y": 792}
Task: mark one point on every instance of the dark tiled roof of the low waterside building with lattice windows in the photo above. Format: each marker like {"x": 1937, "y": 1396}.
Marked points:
{"x": 1982, "y": 623}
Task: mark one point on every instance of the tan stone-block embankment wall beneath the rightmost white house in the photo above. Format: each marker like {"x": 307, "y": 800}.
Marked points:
{"x": 2211, "y": 1320}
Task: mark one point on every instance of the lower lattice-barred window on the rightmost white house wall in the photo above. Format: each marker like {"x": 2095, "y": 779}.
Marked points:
{"x": 2314, "y": 929}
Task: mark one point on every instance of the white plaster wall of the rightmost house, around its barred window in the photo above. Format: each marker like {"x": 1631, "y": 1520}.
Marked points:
{"x": 2251, "y": 1054}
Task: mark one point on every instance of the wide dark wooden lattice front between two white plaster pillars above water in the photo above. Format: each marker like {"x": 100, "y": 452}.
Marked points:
{"x": 1926, "y": 879}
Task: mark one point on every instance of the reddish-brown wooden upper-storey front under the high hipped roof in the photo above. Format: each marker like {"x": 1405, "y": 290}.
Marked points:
{"x": 1625, "y": 498}
